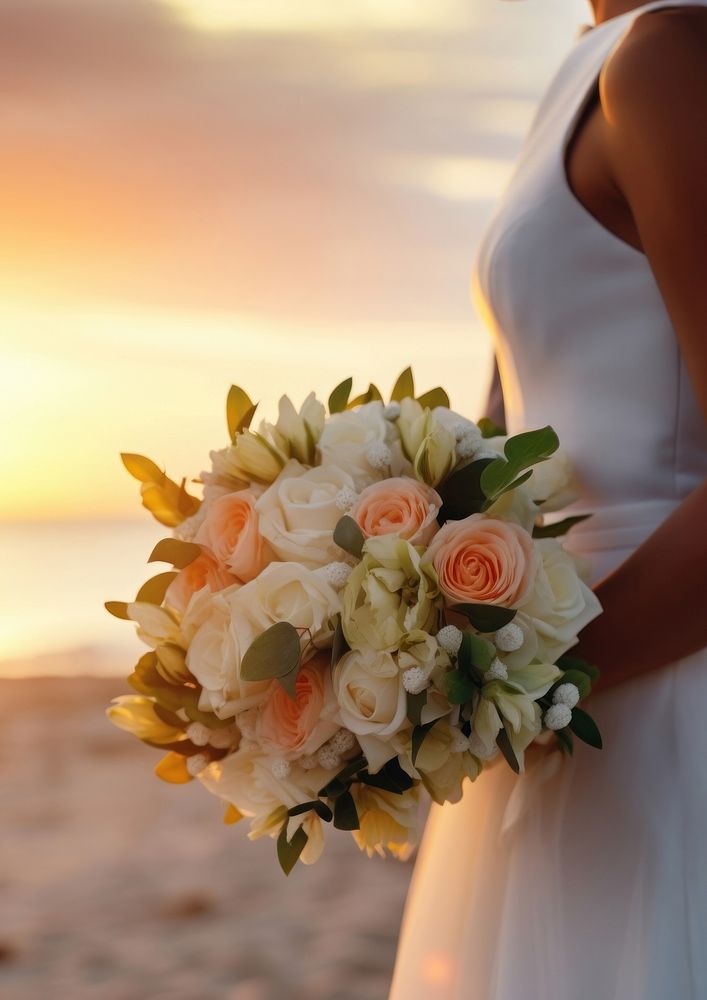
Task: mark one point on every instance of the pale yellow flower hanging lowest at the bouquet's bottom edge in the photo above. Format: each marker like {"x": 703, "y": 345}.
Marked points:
{"x": 388, "y": 822}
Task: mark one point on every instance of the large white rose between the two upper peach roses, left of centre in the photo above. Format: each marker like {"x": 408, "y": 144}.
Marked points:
{"x": 298, "y": 513}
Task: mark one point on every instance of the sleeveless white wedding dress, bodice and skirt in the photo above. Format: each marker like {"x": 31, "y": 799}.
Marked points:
{"x": 590, "y": 884}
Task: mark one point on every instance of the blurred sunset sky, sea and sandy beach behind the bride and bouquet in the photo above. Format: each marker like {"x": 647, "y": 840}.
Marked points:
{"x": 279, "y": 193}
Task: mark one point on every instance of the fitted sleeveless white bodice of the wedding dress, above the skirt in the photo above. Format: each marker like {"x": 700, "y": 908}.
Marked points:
{"x": 582, "y": 335}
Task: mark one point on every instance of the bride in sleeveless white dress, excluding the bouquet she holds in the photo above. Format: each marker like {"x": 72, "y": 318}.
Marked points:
{"x": 586, "y": 879}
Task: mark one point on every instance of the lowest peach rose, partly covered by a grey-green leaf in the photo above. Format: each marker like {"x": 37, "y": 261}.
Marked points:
{"x": 299, "y": 725}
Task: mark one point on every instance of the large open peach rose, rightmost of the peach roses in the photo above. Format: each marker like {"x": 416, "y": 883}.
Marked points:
{"x": 481, "y": 560}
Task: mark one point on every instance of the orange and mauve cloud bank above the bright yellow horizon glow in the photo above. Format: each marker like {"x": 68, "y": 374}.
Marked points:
{"x": 303, "y": 175}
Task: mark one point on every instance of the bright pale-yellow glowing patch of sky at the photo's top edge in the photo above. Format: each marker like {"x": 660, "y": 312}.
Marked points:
{"x": 313, "y": 15}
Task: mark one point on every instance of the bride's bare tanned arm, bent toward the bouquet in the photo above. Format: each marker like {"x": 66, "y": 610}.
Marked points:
{"x": 654, "y": 102}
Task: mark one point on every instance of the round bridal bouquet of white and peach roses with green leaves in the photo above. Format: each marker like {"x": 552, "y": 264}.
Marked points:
{"x": 364, "y": 602}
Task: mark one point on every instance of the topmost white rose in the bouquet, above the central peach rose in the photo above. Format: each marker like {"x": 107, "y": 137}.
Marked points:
{"x": 348, "y": 436}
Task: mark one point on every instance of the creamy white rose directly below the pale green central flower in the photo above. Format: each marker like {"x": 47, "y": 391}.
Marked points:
{"x": 372, "y": 701}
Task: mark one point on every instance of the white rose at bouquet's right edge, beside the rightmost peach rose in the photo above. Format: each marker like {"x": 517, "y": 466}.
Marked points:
{"x": 560, "y": 604}
